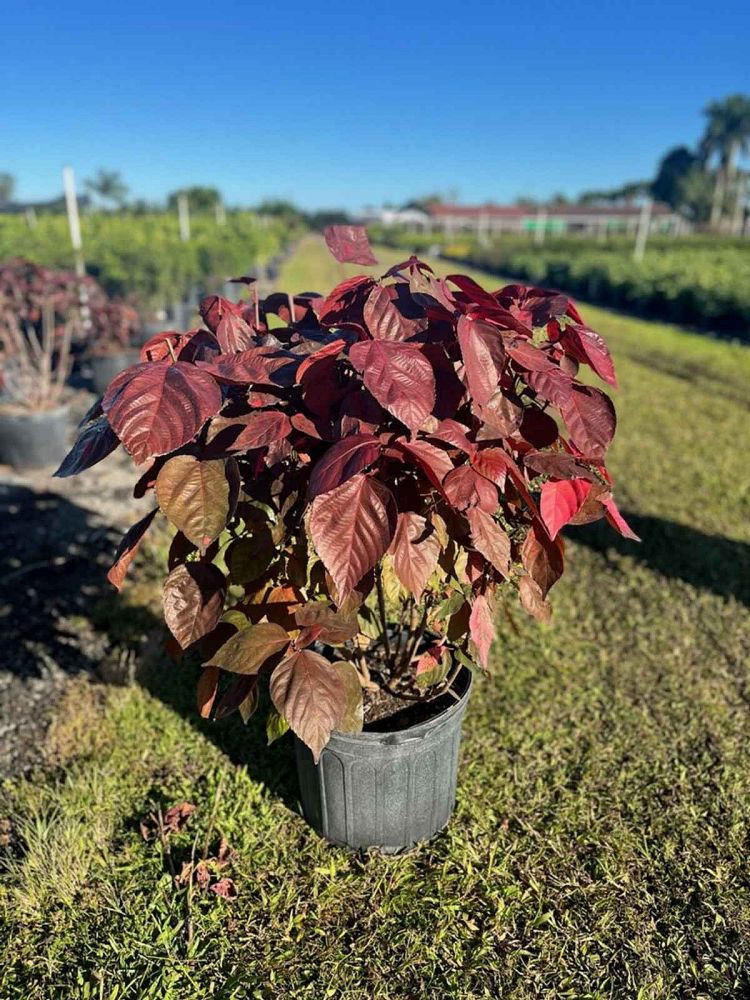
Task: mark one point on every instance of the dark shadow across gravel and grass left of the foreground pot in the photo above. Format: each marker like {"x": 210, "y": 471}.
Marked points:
{"x": 58, "y": 613}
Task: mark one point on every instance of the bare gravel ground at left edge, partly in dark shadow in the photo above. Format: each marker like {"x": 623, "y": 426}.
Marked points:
{"x": 57, "y": 540}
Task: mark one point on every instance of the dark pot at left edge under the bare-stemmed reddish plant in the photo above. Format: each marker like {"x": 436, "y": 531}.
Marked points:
{"x": 33, "y": 440}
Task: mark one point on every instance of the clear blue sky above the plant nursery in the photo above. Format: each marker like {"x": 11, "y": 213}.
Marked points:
{"x": 346, "y": 104}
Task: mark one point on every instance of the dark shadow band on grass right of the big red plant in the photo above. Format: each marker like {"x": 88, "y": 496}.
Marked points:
{"x": 708, "y": 562}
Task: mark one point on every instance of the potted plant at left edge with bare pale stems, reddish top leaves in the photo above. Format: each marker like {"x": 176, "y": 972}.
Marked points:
{"x": 39, "y": 316}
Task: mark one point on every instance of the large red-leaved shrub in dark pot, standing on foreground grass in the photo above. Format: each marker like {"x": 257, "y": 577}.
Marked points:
{"x": 353, "y": 480}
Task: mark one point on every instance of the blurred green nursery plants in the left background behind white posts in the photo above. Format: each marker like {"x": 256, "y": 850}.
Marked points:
{"x": 143, "y": 255}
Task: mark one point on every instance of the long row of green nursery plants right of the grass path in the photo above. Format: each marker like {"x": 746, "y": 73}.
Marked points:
{"x": 697, "y": 281}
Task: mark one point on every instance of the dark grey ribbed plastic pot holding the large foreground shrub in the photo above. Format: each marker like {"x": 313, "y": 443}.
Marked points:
{"x": 386, "y": 790}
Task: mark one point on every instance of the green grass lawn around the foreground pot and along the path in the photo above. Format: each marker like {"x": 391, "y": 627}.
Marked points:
{"x": 599, "y": 846}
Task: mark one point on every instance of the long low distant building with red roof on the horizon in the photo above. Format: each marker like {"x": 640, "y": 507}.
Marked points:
{"x": 487, "y": 220}
